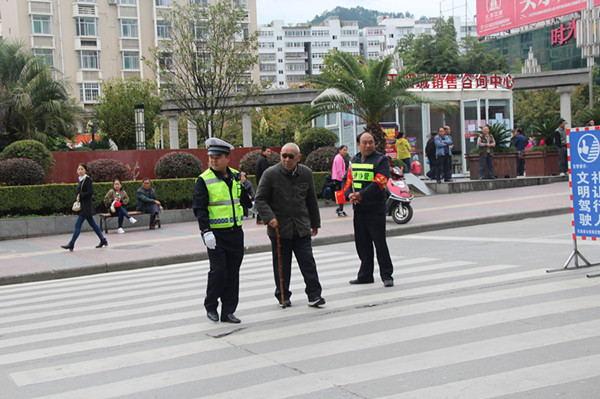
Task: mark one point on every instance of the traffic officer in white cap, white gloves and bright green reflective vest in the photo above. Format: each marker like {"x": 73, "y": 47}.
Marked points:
{"x": 218, "y": 205}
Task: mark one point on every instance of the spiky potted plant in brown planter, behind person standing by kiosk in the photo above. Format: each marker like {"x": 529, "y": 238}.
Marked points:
{"x": 504, "y": 158}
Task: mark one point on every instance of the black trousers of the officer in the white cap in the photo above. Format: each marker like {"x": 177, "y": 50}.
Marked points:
{"x": 224, "y": 274}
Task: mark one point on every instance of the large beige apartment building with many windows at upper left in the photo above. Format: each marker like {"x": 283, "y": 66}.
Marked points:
{"x": 89, "y": 41}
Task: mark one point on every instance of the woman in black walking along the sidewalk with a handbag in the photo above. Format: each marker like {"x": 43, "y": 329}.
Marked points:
{"x": 83, "y": 205}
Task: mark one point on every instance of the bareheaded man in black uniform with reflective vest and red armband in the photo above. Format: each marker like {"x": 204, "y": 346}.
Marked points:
{"x": 365, "y": 188}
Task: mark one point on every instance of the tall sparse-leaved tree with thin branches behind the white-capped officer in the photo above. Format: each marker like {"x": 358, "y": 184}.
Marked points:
{"x": 206, "y": 63}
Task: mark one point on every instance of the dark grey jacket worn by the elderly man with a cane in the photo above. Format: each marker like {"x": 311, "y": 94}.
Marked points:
{"x": 290, "y": 197}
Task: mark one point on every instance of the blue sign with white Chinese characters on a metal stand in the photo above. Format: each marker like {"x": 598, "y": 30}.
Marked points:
{"x": 584, "y": 152}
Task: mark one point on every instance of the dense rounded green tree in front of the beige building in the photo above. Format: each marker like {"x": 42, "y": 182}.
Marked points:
{"x": 115, "y": 111}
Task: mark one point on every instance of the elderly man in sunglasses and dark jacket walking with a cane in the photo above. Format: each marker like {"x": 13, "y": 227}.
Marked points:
{"x": 286, "y": 200}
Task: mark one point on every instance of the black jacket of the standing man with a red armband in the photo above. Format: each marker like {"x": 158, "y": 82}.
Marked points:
{"x": 373, "y": 197}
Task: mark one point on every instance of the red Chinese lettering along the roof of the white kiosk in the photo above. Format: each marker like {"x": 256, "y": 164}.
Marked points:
{"x": 466, "y": 81}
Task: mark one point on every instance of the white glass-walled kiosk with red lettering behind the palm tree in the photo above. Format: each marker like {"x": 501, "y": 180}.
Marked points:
{"x": 463, "y": 102}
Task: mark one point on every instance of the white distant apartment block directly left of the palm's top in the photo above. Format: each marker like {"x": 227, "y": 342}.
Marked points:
{"x": 288, "y": 54}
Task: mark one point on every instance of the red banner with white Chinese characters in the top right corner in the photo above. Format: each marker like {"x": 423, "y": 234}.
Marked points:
{"x": 495, "y": 16}
